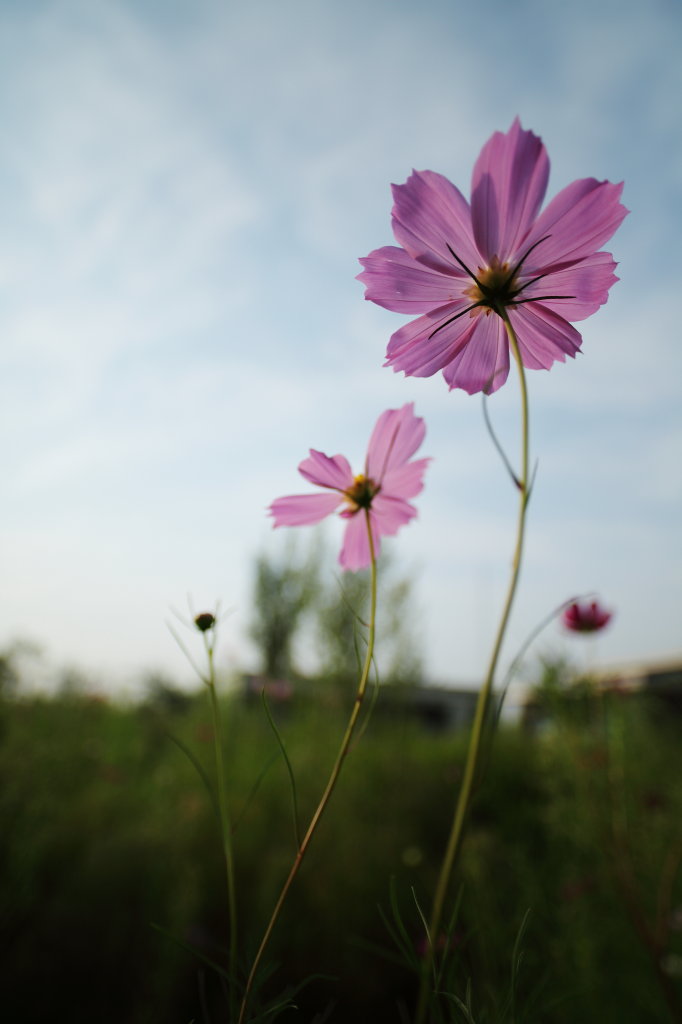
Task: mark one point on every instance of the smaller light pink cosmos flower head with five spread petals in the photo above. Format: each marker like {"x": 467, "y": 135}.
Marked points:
{"x": 389, "y": 480}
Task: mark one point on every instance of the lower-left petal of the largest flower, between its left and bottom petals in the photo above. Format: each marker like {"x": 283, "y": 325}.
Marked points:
{"x": 419, "y": 353}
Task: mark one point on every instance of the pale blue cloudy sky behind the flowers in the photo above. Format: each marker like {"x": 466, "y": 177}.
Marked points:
{"x": 187, "y": 188}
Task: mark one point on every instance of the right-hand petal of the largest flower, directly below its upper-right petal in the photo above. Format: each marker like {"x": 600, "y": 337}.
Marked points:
{"x": 586, "y": 284}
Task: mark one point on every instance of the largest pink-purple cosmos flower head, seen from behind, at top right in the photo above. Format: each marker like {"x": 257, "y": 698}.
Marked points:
{"x": 461, "y": 267}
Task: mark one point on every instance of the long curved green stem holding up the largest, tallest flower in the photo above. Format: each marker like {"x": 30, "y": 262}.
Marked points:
{"x": 464, "y": 799}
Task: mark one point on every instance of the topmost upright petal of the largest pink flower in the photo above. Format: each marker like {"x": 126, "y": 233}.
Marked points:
{"x": 507, "y": 190}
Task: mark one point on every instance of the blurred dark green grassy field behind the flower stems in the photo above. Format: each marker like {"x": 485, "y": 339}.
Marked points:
{"x": 108, "y": 829}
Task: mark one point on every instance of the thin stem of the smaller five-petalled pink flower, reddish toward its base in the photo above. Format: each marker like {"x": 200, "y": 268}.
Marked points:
{"x": 333, "y": 779}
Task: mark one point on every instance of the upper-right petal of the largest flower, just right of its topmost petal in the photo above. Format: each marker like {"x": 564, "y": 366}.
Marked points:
{"x": 578, "y": 222}
